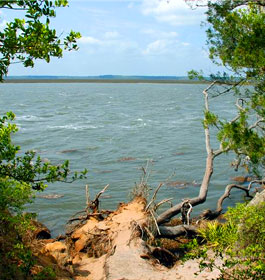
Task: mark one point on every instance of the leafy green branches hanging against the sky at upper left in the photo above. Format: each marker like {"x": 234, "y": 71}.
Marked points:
{"x": 24, "y": 40}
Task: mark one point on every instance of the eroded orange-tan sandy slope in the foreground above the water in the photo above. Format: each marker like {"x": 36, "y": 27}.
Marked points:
{"x": 113, "y": 249}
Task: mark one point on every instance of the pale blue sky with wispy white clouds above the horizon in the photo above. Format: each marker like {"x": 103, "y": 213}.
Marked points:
{"x": 137, "y": 37}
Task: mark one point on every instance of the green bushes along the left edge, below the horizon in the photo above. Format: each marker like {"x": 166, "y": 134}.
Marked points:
{"x": 20, "y": 178}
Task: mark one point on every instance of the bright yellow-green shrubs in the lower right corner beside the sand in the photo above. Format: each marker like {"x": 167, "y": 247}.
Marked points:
{"x": 240, "y": 242}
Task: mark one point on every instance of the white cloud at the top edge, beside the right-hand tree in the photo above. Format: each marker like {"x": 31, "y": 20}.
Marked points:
{"x": 174, "y": 12}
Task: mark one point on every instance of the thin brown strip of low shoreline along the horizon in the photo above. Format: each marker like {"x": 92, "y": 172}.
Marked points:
{"x": 103, "y": 81}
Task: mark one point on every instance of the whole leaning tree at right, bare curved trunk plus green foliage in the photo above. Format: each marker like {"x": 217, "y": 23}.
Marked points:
{"x": 236, "y": 41}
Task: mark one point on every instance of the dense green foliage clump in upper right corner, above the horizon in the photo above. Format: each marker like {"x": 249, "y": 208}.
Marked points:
{"x": 236, "y": 35}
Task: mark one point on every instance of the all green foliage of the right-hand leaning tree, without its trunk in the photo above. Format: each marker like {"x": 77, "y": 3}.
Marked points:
{"x": 236, "y": 41}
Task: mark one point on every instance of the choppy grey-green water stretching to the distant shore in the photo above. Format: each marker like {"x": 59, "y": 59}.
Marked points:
{"x": 96, "y": 125}
